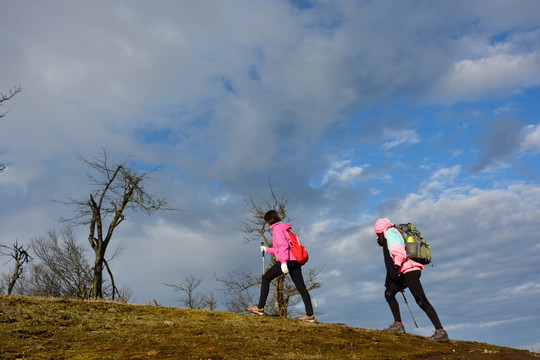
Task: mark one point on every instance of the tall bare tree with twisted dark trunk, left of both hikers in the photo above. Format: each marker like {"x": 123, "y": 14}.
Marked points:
{"x": 117, "y": 190}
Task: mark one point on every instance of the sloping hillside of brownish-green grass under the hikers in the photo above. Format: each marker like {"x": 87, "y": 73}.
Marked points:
{"x": 48, "y": 328}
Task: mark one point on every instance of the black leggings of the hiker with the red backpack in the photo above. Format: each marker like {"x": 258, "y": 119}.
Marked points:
{"x": 295, "y": 271}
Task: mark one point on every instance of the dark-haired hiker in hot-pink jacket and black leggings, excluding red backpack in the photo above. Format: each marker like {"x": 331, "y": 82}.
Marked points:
{"x": 285, "y": 263}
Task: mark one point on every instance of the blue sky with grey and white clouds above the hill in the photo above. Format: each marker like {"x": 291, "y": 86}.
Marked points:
{"x": 420, "y": 111}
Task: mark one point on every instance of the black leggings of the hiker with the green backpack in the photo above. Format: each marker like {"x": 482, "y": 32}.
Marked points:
{"x": 410, "y": 280}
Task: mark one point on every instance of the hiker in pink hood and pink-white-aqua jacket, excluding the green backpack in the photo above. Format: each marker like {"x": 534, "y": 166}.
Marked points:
{"x": 402, "y": 273}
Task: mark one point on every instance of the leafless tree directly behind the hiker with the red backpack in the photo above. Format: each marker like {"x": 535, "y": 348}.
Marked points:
{"x": 238, "y": 284}
